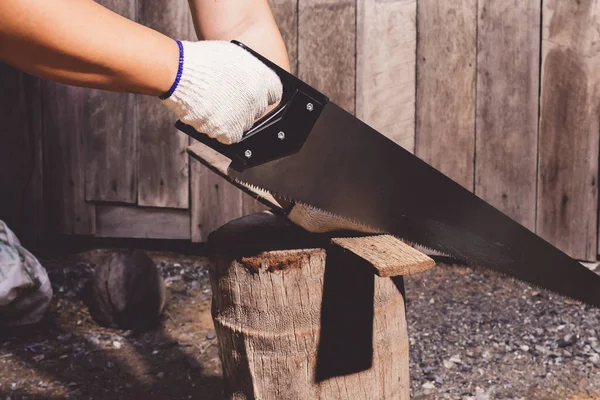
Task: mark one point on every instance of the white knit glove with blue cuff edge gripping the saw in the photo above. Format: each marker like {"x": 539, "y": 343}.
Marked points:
{"x": 222, "y": 90}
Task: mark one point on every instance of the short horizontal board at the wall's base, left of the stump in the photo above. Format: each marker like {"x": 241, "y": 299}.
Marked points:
{"x": 140, "y": 222}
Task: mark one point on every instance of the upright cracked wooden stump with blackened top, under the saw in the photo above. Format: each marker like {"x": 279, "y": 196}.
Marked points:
{"x": 298, "y": 317}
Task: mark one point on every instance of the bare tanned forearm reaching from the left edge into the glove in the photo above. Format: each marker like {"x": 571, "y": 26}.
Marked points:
{"x": 81, "y": 43}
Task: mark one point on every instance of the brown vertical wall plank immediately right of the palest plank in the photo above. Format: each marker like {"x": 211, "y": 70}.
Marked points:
{"x": 446, "y": 71}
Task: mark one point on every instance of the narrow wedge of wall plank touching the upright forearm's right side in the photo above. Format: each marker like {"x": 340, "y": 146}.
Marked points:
{"x": 286, "y": 16}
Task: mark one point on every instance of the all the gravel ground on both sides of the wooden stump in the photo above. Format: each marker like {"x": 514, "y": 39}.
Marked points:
{"x": 473, "y": 335}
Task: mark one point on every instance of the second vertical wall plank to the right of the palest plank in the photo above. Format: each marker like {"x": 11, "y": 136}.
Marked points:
{"x": 508, "y": 57}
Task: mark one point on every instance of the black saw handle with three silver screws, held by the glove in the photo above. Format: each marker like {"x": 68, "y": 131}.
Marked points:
{"x": 279, "y": 133}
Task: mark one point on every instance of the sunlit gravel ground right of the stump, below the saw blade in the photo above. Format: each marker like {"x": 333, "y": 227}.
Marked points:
{"x": 477, "y": 335}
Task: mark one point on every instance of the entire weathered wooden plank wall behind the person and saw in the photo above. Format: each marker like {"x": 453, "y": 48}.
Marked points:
{"x": 501, "y": 95}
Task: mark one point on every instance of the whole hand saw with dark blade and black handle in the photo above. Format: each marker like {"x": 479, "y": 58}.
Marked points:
{"x": 310, "y": 151}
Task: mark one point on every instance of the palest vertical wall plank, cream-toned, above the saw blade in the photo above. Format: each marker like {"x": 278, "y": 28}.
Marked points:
{"x": 386, "y": 38}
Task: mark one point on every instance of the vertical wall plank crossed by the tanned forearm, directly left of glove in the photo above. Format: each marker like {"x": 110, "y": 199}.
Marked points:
{"x": 162, "y": 159}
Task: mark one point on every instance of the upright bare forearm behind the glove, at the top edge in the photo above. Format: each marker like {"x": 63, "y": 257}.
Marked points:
{"x": 249, "y": 21}
